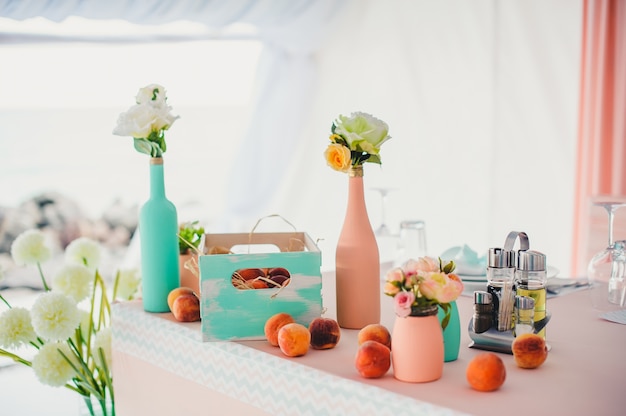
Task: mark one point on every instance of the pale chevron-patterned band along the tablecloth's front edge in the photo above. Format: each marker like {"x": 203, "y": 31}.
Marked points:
{"x": 249, "y": 375}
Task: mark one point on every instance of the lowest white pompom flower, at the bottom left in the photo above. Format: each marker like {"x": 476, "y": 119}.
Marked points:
{"x": 51, "y": 367}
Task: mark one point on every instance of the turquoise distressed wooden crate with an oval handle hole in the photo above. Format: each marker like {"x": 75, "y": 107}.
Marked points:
{"x": 229, "y": 313}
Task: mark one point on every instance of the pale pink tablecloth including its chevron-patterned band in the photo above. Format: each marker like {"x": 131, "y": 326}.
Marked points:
{"x": 161, "y": 367}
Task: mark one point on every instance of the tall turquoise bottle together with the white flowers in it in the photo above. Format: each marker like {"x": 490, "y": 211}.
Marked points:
{"x": 146, "y": 122}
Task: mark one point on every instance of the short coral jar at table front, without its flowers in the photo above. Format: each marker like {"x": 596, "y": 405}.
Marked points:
{"x": 417, "y": 347}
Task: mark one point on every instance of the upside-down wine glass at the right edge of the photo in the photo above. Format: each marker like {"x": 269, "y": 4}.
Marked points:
{"x": 607, "y": 269}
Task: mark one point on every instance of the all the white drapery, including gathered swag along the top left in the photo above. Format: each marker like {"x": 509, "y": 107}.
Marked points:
{"x": 480, "y": 96}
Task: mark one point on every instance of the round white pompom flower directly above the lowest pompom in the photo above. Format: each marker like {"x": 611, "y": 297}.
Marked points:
{"x": 55, "y": 316}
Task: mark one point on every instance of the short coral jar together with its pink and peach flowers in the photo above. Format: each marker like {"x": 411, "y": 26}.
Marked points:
{"x": 419, "y": 288}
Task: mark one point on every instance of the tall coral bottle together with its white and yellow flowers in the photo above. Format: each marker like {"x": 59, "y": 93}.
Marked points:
{"x": 354, "y": 141}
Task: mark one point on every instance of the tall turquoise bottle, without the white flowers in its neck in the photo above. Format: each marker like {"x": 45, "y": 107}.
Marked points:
{"x": 158, "y": 228}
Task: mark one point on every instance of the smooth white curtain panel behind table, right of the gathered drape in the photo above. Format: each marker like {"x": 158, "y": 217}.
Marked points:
{"x": 481, "y": 99}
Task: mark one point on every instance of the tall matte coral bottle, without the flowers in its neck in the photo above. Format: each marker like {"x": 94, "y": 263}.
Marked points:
{"x": 357, "y": 264}
